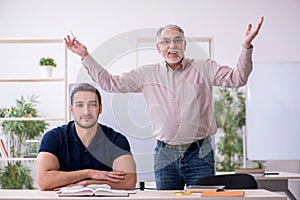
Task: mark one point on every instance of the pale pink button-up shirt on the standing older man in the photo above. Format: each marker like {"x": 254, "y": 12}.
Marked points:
{"x": 180, "y": 102}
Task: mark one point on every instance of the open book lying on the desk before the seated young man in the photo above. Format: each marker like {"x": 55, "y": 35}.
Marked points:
{"x": 93, "y": 190}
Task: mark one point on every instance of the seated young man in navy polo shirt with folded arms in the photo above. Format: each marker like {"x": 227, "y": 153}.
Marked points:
{"x": 84, "y": 151}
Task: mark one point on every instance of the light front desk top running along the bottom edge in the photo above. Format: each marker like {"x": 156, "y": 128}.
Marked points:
{"x": 140, "y": 195}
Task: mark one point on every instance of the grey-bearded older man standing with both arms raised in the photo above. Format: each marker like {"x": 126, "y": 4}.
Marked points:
{"x": 178, "y": 93}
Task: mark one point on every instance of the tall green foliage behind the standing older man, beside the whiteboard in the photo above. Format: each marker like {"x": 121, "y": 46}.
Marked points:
{"x": 230, "y": 116}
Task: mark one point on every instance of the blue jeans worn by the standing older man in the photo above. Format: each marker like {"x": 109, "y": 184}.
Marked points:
{"x": 174, "y": 169}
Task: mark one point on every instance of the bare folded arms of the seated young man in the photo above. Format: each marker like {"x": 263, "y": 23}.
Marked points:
{"x": 49, "y": 177}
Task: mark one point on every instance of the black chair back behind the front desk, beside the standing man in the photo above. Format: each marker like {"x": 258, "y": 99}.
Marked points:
{"x": 230, "y": 181}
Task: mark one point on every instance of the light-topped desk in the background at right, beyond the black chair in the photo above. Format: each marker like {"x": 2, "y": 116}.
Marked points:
{"x": 277, "y": 183}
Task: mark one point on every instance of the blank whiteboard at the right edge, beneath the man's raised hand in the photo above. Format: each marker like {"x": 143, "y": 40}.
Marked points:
{"x": 273, "y": 112}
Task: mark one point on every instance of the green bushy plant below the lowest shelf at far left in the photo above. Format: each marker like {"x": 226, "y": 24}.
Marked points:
{"x": 16, "y": 176}
